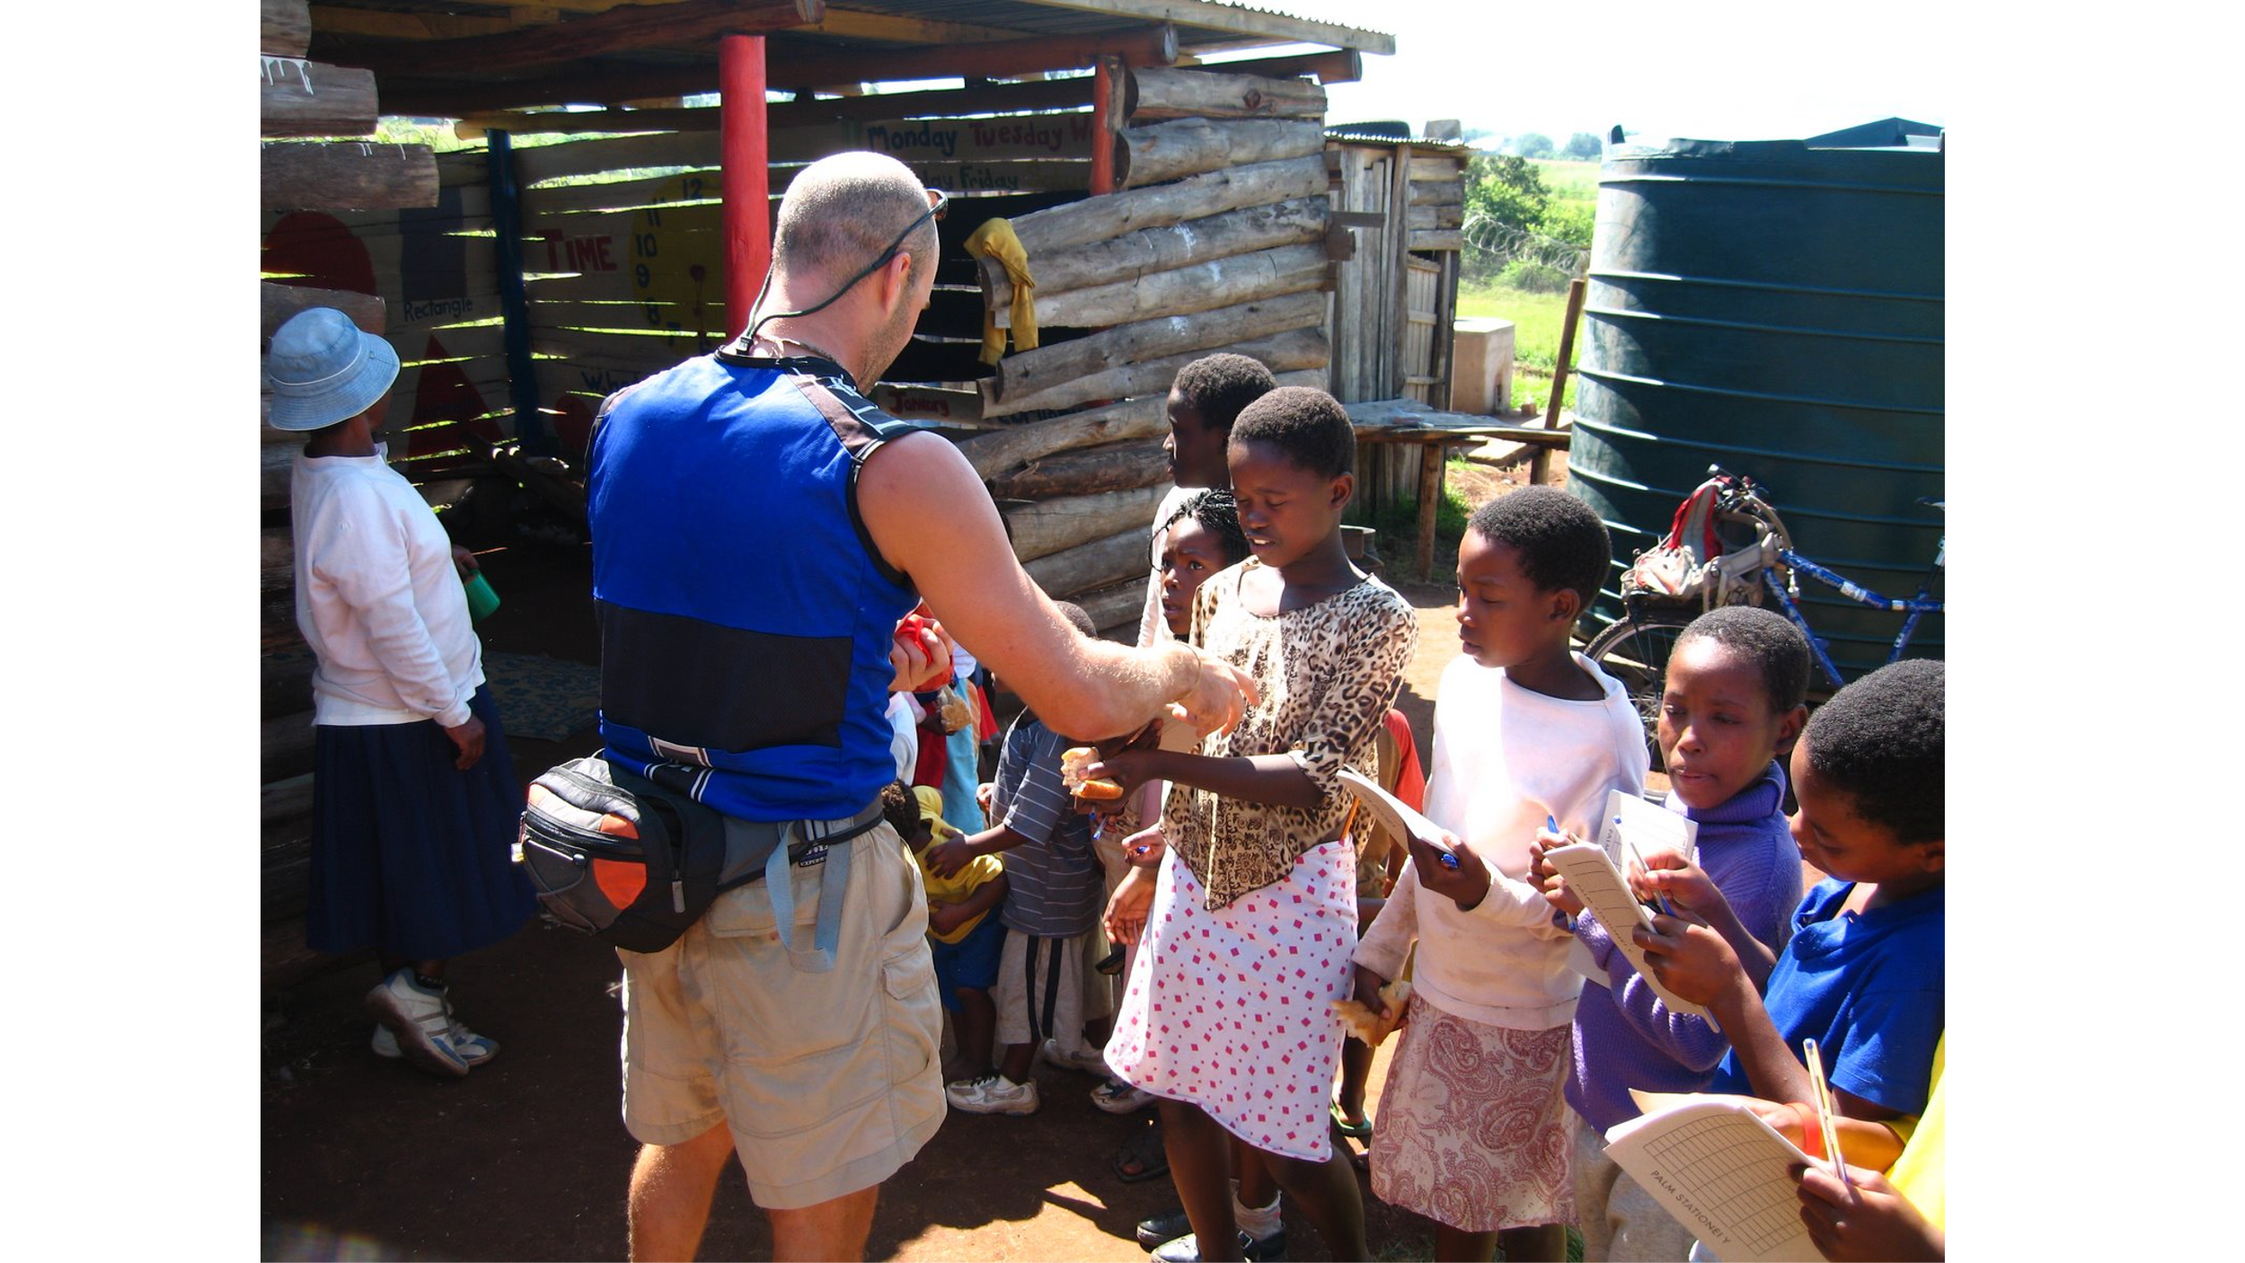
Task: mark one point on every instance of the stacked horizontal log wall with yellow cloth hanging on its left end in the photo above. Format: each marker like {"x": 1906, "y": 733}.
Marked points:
{"x": 1220, "y": 239}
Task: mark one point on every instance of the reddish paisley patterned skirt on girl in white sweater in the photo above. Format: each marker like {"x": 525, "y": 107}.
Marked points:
{"x": 1474, "y": 1125}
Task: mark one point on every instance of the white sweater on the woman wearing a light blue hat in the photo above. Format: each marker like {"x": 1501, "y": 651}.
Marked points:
{"x": 378, "y": 598}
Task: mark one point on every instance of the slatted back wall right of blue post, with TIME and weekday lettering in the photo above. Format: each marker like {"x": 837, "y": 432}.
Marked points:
{"x": 627, "y": 268}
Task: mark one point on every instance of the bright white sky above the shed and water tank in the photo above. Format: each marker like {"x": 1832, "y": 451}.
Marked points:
{"x": 1728, "y": 71}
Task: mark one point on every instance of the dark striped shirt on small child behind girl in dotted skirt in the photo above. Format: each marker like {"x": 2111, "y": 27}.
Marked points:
{"x": 1054, "y": 883}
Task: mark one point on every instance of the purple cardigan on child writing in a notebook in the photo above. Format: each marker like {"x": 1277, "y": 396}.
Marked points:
{"x": 1624, "y": 1035}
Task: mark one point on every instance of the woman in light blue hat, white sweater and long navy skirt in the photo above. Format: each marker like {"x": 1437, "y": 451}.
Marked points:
{"x": 414, "y": 798}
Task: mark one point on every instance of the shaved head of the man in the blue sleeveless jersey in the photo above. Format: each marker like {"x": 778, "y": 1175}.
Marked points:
{"x": 845, "y": 210}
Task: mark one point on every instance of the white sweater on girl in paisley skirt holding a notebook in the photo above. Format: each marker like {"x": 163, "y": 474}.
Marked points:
{"x": 1505, "y": 759}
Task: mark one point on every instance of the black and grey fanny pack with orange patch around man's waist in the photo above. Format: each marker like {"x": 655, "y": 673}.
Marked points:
{"x": 634, "y": 863}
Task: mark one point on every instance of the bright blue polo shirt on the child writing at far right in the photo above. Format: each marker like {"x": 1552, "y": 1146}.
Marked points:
{"x": 1867, "y": 988}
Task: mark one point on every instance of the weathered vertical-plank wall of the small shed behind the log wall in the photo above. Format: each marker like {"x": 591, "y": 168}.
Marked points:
{"x": 1395, "y": 302}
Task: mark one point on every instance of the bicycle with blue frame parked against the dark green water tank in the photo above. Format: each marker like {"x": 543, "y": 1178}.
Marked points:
{"x": 1656, "y": 611}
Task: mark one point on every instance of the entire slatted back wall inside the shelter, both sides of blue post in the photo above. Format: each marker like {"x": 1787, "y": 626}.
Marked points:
{"x": 625, "y": 270}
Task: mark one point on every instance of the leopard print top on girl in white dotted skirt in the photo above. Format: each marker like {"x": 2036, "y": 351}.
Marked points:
{"x": 1328, "y": 676}
